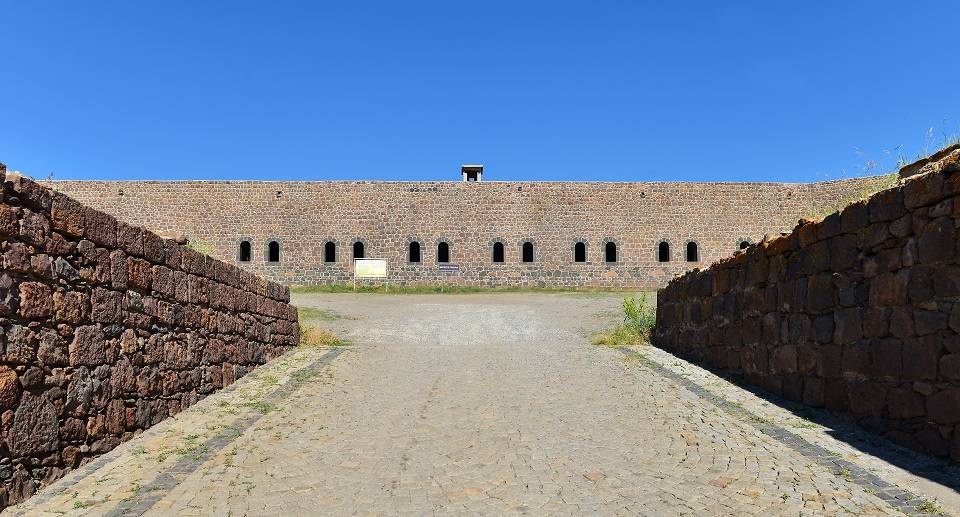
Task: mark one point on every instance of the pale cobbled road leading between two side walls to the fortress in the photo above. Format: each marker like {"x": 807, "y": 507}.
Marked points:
{"x": 458, "y": 404}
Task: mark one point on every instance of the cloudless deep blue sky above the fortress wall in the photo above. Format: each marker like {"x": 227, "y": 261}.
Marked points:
{"x": 553, "y": 90}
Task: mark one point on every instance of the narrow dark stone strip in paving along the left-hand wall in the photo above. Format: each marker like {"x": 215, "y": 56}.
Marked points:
{"x": 171, "y": 477}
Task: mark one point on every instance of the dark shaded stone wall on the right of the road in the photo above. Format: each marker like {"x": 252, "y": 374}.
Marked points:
{"x": 859, "y": 312}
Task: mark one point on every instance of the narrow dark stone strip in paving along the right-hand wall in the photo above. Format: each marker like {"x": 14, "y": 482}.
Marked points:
{"x": 899, "y": 498}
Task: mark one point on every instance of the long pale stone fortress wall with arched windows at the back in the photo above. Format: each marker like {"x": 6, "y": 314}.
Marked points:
{"x": 470, "y": 217}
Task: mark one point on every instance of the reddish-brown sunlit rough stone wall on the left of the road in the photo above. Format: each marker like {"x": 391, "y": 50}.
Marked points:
{"x": 107, "y": 329}
